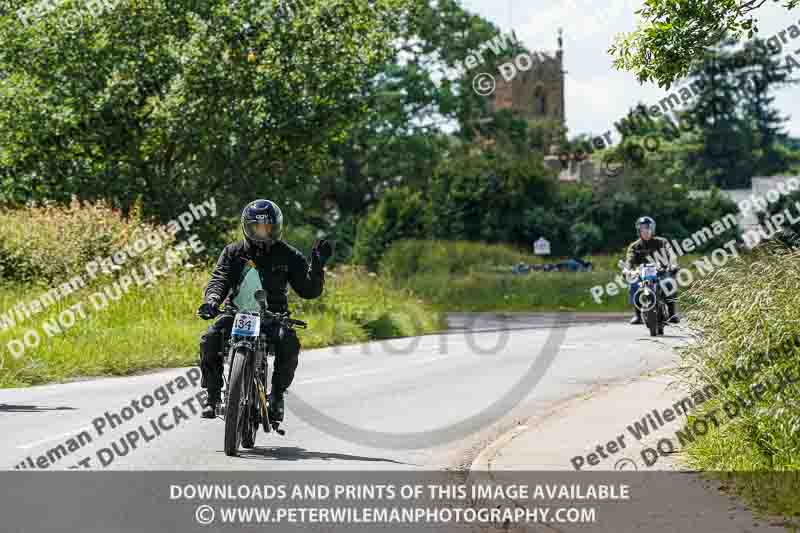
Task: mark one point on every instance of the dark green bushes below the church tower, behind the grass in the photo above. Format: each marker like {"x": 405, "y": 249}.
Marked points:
{"x": 494, "y": 195}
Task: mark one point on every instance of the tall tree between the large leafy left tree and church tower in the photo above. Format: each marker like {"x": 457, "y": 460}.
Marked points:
{"x": 398, "y": 139}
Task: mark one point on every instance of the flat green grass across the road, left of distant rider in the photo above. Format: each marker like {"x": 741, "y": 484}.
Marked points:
{"x": 472, "y": 276}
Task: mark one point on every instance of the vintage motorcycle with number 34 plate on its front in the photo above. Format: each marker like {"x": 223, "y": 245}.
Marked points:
{"x": 245, "y": 396}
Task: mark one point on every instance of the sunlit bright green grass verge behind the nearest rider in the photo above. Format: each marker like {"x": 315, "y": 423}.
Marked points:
{"x": 156, "y": 328}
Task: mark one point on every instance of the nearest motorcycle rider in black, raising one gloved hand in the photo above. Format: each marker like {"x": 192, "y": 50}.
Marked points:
{"x": 261, "y": 260}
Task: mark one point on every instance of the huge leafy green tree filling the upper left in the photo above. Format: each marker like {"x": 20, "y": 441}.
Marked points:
{"x": 175, "y": 100}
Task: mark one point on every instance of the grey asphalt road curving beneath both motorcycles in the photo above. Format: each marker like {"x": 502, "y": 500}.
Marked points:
{"x": 411, "y": 389}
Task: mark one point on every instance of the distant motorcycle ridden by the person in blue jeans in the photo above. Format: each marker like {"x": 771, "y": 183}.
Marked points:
{"x": 649, "y": 297}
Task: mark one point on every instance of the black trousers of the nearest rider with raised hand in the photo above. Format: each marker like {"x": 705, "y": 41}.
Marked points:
{"x": 287, "y": 350}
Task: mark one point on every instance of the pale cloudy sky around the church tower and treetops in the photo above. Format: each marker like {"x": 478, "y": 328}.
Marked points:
{"x": 597, "y": 95}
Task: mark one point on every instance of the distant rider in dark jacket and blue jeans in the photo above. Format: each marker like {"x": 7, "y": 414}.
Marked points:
{"x": 649, "y": 249}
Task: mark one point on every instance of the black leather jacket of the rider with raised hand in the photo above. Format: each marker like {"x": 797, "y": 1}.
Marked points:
{"x": 282, "y": 265}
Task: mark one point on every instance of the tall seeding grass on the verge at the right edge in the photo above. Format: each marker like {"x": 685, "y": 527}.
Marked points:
{"x": 750, "y": 307}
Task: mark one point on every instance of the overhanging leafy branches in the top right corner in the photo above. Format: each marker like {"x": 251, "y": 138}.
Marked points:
{"x": 672, "y": 34}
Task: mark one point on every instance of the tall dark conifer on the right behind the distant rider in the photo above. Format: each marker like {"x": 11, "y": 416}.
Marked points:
{"x": 728, "y": 134}
